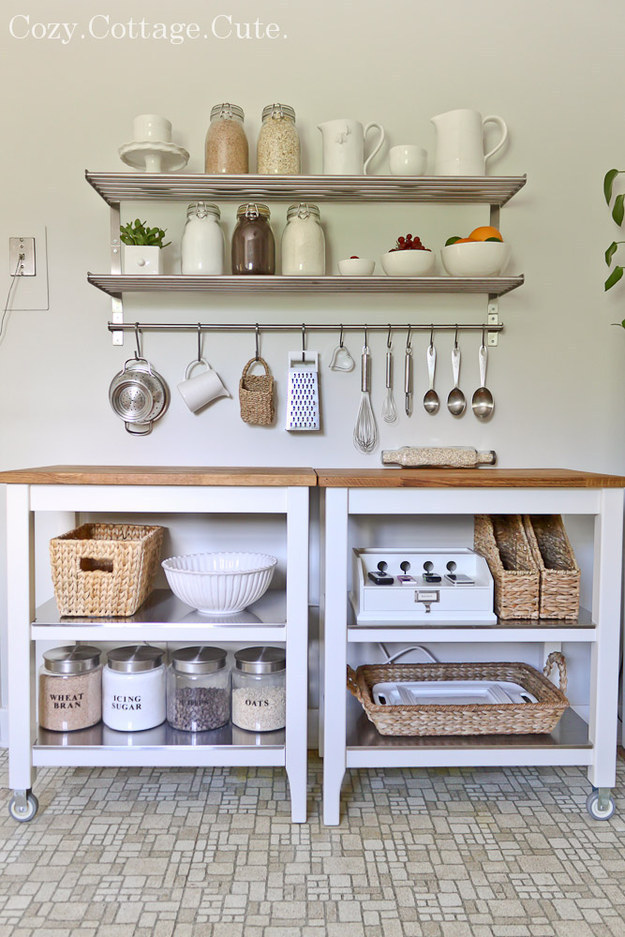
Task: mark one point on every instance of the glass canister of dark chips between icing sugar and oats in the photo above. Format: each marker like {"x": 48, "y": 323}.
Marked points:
{"x": 198, "y": 689}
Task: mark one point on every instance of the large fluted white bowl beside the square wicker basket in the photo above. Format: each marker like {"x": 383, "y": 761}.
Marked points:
{"x": 219, "y": 583}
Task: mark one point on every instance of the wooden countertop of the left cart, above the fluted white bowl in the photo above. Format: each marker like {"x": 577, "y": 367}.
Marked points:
{"x": 159, "y": 475}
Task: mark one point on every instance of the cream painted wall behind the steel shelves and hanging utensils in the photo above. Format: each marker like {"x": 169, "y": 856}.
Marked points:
{"x": 553, "y": 71}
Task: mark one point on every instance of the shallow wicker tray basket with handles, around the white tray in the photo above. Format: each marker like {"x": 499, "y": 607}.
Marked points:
{"x": 464, "y": 719}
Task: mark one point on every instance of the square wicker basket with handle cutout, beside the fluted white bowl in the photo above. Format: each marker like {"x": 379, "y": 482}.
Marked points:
{"x": 104, "y": 570}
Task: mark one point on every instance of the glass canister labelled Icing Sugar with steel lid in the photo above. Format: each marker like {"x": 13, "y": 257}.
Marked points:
{"x": 134, "y": 688}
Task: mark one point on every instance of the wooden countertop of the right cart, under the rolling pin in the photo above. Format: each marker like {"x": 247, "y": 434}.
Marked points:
{"x": 465, "y": 478}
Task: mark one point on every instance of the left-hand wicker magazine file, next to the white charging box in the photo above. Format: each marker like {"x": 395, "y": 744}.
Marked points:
{"x": 501, "y": 539}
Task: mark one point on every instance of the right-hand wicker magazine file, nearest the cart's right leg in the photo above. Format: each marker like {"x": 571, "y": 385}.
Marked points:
{"x": 554, "y": 557}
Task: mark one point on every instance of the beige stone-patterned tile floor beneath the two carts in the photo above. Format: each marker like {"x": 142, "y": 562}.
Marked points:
{"x": 212, "y": 853}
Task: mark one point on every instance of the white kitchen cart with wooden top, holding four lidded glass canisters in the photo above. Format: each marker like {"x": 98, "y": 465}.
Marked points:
{"x": 281, "y": 617}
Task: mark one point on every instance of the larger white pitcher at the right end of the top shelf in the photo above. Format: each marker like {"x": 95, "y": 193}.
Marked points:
{"x": 460, "y": 142}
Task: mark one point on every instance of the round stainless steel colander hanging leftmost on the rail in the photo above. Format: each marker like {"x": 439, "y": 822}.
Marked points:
{"x": 139, "y": 395}
